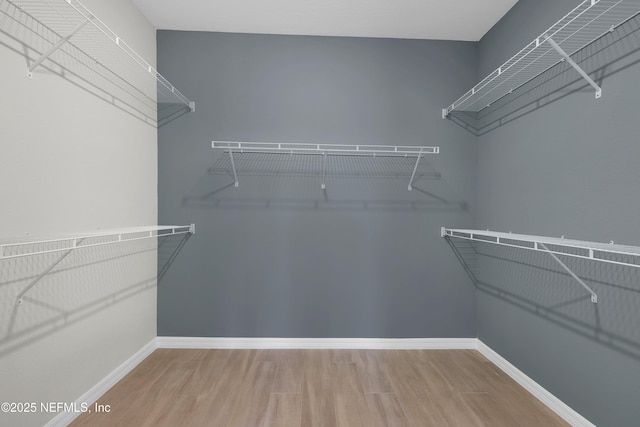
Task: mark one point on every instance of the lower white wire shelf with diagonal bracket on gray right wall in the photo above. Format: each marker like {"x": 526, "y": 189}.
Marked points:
{"x": 611, "y": 253}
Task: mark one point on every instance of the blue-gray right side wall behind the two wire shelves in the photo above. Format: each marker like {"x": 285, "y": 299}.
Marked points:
{"x": 557, "y": 162}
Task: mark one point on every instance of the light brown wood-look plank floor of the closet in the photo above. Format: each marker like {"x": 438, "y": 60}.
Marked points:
{"x": 251, "y": 388}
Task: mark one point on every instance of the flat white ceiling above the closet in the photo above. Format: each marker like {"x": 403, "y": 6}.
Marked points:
{"x": 466, "y": 20}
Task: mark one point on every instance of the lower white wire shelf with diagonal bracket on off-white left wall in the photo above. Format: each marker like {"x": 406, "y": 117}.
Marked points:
{"x": 66, "y": 245}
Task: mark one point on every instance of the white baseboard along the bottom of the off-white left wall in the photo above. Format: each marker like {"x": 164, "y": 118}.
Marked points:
{"x": 95, "y": 392}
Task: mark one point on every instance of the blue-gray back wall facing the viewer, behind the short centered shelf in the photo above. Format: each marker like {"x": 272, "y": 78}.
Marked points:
{"x": 278, "y": 257}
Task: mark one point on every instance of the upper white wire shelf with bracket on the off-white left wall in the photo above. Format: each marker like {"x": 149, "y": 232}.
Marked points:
{"x": 68, "y": 32}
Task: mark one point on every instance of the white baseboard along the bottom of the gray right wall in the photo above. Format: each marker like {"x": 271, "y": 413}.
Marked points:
{"x": 552, "y": 402}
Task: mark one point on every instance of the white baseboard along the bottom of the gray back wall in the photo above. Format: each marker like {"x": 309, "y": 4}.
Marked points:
{"x": 319, "y": 343}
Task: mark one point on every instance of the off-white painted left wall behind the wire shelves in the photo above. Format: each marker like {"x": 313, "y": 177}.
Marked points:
{"x": 72, "y": 162}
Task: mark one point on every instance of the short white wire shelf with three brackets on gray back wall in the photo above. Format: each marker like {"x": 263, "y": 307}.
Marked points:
{"x": 325, "y": 150}
